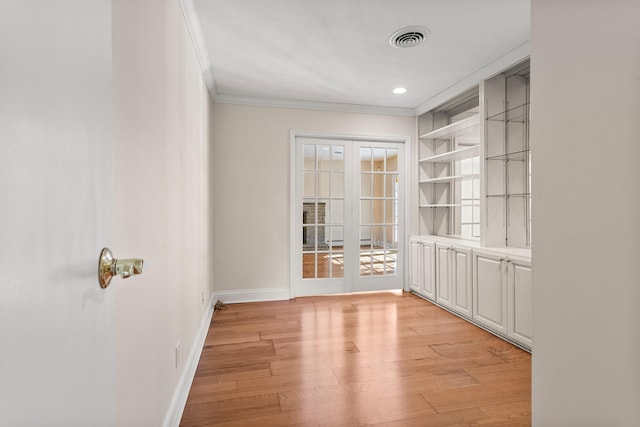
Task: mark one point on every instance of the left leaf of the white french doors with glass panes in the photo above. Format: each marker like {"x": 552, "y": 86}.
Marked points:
{"x": 322, "y": 205}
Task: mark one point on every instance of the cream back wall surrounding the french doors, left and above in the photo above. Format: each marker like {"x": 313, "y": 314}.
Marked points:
{"x": 250, "y": 172}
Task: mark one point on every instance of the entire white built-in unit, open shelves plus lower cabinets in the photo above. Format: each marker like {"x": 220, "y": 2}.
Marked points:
{"x": 471, "y": 254}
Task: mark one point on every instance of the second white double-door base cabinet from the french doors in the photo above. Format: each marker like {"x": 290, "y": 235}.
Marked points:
{"x": 453, "y": 278}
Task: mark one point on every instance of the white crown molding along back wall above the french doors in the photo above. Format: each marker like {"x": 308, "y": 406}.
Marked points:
{"x": 314, "y": 105}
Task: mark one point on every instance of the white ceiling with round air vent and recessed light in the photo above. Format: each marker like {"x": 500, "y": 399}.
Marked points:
{"x": 336, "y": 53}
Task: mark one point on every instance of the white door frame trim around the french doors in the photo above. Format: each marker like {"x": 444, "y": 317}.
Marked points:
{"x": 402, "y": 249}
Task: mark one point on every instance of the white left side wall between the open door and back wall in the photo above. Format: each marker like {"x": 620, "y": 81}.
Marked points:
{"x": 161, "y": 204}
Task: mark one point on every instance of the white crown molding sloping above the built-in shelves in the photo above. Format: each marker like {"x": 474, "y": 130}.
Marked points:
{"x": 514, "y": 56}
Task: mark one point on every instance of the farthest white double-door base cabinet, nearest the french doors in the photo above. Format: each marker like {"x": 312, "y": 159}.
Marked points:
{"x": 422, "y": 268}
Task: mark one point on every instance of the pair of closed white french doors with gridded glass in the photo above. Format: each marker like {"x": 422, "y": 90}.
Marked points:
{"x": 347, "y": 216}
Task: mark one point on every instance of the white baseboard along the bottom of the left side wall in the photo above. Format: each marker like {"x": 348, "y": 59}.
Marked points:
{"x": 172, "y": 419}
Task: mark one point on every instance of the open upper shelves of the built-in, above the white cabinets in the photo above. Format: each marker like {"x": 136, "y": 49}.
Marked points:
{"x": 475, "y": 163}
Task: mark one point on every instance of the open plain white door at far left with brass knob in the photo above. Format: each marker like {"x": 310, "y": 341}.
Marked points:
{"x": 56, "y": 333}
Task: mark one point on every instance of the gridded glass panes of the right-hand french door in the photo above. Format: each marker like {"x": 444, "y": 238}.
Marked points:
{"x": 378, "y": 211}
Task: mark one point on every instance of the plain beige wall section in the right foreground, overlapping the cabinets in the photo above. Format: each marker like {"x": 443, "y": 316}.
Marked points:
{"x": 585, "y": 103}
